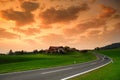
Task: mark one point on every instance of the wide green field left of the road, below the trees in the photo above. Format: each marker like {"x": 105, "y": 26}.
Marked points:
{"x": 14, "y": 63}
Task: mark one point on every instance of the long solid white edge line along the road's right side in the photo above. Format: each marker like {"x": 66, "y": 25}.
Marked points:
{"x": 86, "y": 71}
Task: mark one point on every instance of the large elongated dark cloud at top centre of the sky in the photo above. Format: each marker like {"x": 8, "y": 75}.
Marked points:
{"x": 53, "y": 15}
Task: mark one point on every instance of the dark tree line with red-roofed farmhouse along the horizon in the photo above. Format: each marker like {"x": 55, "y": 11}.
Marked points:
{"x": 51, "y": 50}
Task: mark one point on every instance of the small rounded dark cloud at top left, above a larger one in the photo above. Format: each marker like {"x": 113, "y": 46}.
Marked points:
{"x": 29, "y": 6}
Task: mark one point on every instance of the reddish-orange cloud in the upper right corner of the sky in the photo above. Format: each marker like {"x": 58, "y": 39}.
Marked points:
{"x": 106, "y": 11}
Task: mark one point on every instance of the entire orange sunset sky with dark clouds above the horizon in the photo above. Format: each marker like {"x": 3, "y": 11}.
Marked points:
{"x": 38, "y": 24}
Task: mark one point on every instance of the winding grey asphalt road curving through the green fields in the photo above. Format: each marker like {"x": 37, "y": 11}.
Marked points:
{"x": 58, "y": 73}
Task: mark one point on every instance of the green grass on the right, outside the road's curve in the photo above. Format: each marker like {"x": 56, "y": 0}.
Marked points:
{"x": 109, "y": 72}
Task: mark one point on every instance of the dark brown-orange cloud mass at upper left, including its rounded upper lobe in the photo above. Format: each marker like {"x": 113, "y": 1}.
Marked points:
{"x": 21, "y": 17}
